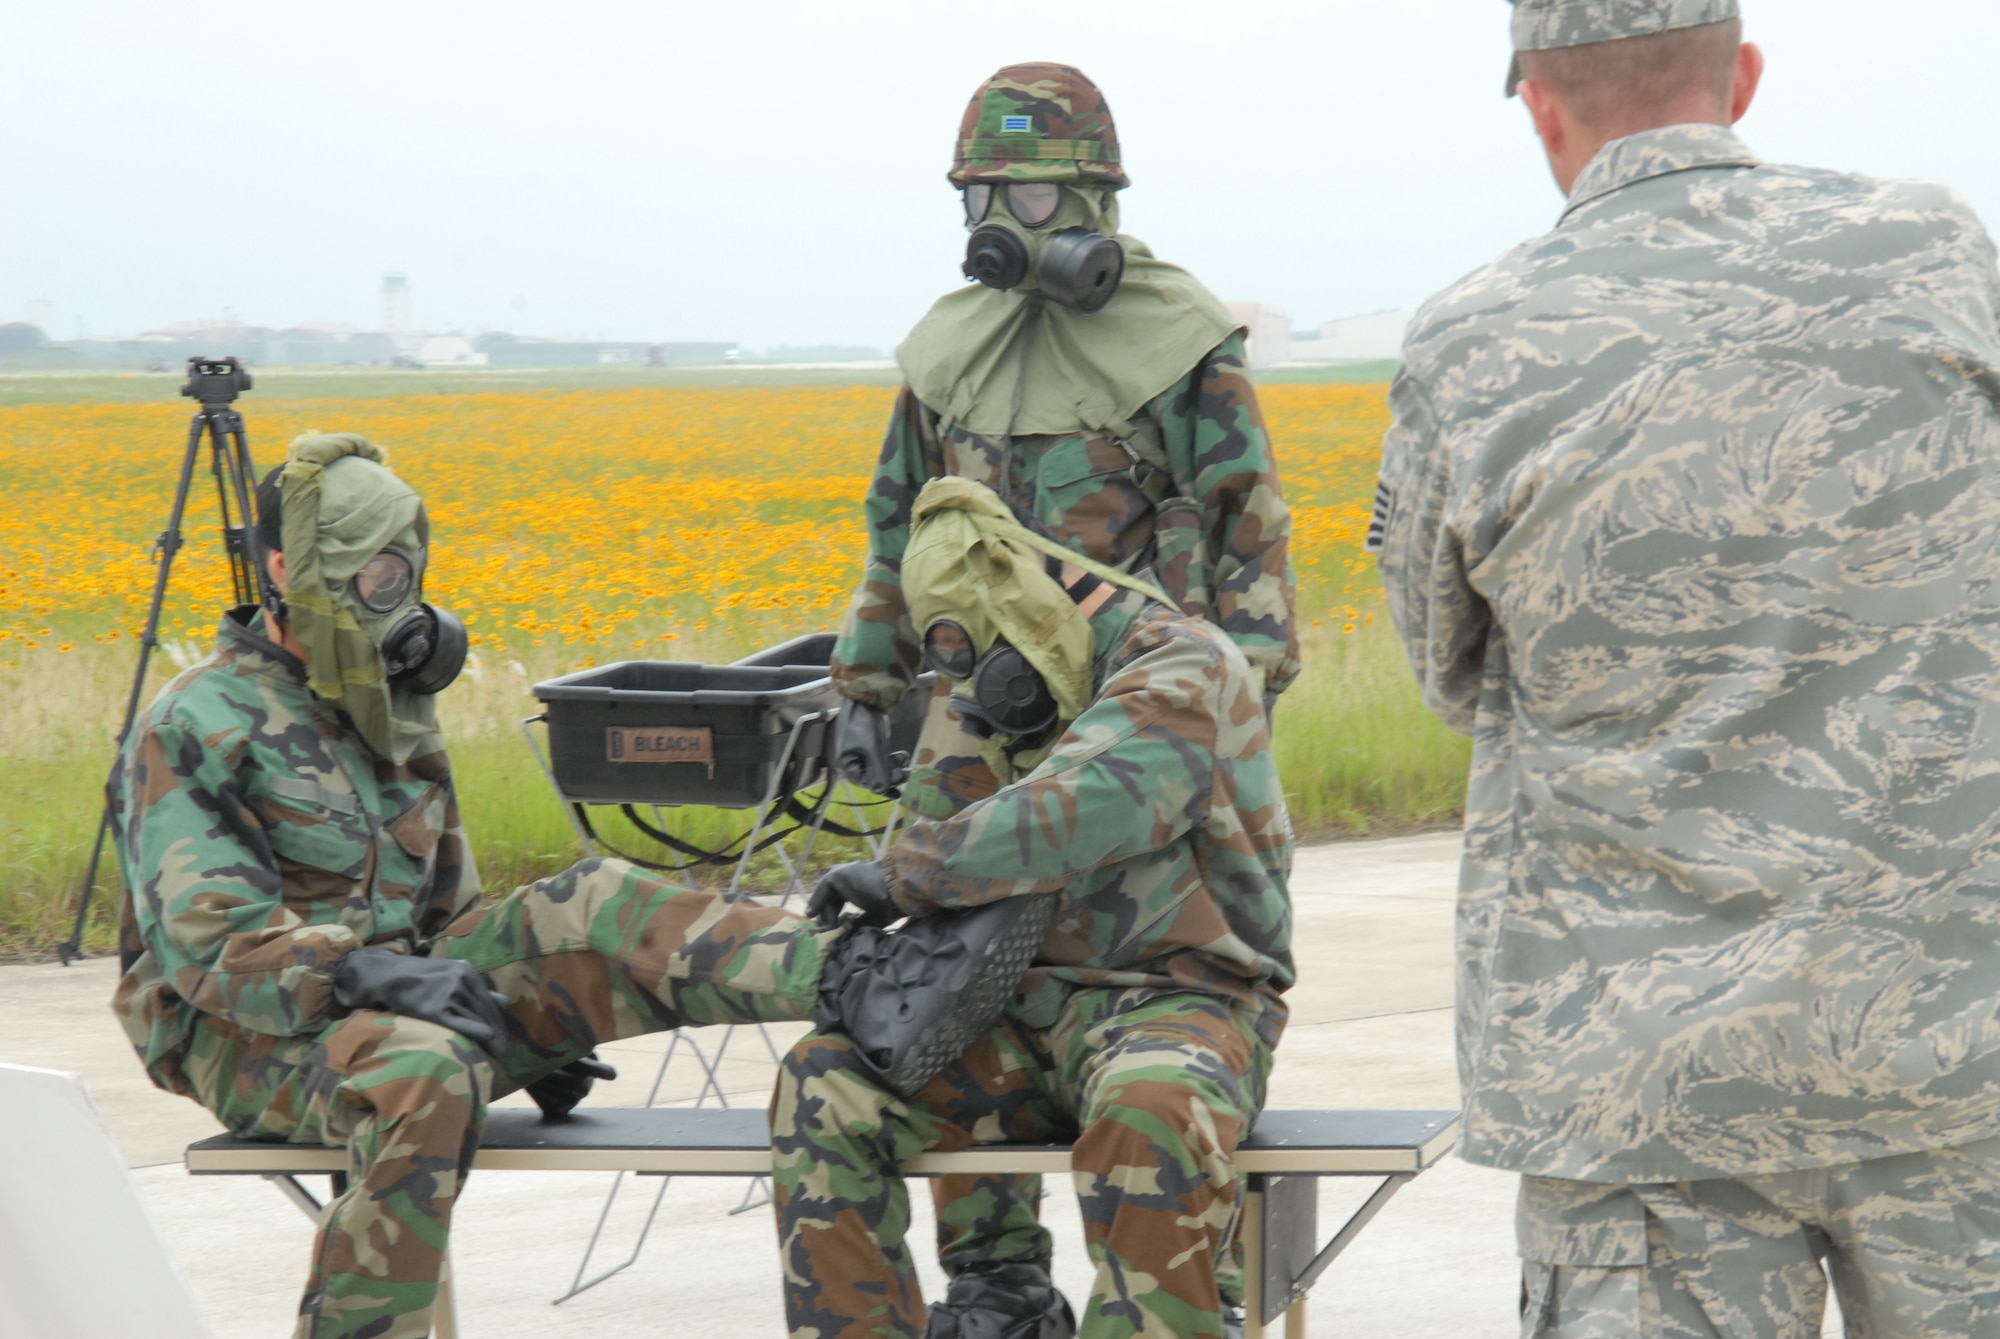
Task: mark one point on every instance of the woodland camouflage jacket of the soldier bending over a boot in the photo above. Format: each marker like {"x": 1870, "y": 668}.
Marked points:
{"x": 1157, "y": 816}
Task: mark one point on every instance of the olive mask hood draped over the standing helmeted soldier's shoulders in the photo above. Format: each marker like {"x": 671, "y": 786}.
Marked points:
{"x": 1017, "y": 365}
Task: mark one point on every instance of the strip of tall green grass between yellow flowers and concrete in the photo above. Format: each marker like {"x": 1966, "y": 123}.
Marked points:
{"x": 1357, "y": 750}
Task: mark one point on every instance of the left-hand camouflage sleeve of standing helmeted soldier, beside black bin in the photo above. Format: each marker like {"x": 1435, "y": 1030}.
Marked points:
{"x": 877, "y": 657}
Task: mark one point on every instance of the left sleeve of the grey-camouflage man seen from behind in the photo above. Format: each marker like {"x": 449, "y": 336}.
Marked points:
{"x": 1441, "y": 619}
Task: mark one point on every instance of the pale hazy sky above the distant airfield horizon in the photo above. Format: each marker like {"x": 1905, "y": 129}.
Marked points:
{"x": 773, "y": 171}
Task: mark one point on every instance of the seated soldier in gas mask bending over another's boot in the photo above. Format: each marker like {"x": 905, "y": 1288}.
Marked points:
{"x": 1141, "y": 800}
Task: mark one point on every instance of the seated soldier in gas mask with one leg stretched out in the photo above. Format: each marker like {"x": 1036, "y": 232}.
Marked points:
{"x": 305, "y": 944}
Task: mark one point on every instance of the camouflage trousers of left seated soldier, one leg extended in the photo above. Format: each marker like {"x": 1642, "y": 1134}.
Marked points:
{"x": 593, "y": 954}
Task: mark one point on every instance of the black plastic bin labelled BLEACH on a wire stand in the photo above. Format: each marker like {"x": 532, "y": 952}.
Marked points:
{"x": 671, "y": 732}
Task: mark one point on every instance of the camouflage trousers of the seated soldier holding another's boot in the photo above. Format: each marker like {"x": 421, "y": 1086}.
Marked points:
{"x": 1155, "y": 1092}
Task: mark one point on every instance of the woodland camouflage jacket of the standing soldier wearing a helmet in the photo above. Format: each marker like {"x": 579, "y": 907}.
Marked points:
{"x": 1191, "y": 491}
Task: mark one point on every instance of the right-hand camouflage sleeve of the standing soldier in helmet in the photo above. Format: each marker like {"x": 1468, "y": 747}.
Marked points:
{"x": 1219, "y": 449}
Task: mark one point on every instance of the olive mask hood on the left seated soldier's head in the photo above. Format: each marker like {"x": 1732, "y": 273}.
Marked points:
{"x": 341, "y": 509}
